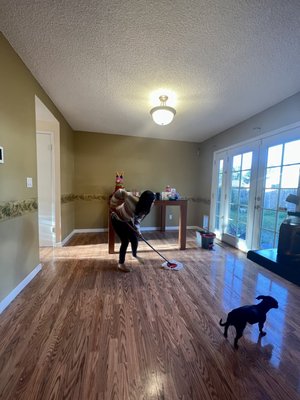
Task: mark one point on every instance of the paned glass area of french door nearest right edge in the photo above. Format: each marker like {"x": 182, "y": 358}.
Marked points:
{"x": 281, "y": 179}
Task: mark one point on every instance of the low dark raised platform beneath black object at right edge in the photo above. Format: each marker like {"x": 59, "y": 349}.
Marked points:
{"x": 288, "y": 269}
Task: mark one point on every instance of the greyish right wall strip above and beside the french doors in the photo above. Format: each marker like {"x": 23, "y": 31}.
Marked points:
{"x": 282, "y": 114}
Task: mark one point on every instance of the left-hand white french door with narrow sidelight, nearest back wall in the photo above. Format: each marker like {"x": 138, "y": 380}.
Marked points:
{"x": 234, "y": 195}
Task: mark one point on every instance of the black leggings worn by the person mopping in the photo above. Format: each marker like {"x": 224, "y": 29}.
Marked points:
{"x": 126, "y": 235}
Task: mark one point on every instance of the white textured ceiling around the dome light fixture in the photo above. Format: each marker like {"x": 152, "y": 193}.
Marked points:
{"x": 100, "y": 61}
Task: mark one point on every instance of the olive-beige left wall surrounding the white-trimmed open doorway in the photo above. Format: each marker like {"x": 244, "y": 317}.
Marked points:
{"x": 19, "y": 251}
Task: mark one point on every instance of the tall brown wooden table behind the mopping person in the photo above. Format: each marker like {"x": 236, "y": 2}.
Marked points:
{"x": 162, "y": 204}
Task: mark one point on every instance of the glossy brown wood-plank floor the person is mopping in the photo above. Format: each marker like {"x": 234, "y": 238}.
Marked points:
{"x": 83, "y": 330}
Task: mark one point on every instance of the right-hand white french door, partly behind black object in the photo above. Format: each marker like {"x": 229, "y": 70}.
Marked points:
{"x": 280, "y": 172}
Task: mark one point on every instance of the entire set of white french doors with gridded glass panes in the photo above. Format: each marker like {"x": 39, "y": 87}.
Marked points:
{"x": 250, "y": 186}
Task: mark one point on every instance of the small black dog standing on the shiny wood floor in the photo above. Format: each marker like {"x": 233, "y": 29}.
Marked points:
{"x": 252, "y": 314}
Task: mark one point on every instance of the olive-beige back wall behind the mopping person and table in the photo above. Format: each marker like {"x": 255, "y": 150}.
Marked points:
{"x": 147, "y": 164}
